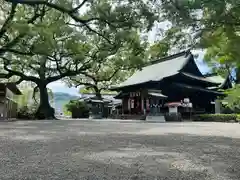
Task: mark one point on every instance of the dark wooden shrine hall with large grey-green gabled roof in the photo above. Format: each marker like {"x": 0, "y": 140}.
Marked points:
{"x": 170, "y": 80}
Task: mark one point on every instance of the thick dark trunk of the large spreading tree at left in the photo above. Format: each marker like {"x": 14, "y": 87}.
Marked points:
{"x": 45, "y": 111}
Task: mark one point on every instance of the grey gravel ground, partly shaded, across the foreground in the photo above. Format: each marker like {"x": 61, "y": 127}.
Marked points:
{"x": 108, "y": 150}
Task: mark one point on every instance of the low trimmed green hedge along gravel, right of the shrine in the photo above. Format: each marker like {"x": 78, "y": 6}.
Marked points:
{"x": 216, "y": 117}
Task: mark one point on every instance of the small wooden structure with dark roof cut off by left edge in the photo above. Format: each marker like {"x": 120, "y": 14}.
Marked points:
{"x": 8, "y": 106}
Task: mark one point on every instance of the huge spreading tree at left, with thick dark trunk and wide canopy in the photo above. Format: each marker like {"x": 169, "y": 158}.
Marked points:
{"x": 43, "y": 41}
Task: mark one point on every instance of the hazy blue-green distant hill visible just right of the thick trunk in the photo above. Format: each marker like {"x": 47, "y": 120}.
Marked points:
{"x": 60, "y": 99}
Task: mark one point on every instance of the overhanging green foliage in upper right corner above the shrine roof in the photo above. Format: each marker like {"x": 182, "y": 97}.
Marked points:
{"x": 213, "y": 25}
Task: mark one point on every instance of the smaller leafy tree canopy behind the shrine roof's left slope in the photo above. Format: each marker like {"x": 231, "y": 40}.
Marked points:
{"x": 111, "y": 66}
